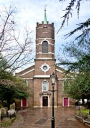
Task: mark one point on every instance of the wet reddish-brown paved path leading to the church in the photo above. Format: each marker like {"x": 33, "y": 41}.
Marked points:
{"x": 41, "y": 118}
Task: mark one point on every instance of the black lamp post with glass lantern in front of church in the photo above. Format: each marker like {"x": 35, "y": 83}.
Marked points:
{"x": 53, "y": 79}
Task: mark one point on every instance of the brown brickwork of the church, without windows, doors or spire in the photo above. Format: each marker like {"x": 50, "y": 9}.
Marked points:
{"x": 35, "y": 76}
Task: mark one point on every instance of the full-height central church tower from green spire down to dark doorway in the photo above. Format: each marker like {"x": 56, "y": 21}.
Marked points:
{"x": 44, "y": 62}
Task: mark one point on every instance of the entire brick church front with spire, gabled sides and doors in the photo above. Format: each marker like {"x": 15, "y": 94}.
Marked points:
{"x": 38, "y": 75}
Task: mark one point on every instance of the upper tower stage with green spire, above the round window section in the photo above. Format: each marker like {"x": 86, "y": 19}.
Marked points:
{"x": 45, "y": 39}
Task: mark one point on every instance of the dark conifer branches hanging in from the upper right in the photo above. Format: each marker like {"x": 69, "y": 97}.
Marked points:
{"x": 79, "y": 49}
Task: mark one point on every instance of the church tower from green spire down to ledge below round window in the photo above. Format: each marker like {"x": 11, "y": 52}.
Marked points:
{"x": 45, "y": 43}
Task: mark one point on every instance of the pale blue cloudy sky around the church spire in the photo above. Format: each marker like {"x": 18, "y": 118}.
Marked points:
{"x": 31, "y": 11}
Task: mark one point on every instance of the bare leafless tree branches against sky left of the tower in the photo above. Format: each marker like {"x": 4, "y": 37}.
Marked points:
{"x": 15, "y": 50}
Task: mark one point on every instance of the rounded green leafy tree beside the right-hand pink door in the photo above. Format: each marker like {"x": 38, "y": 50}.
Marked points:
{"x": 79, "y": 88}
